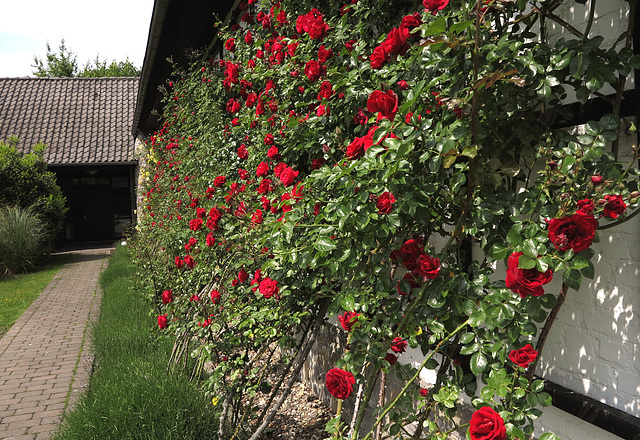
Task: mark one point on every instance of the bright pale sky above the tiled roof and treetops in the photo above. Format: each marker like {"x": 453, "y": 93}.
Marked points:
{"x": 114, "y": 30}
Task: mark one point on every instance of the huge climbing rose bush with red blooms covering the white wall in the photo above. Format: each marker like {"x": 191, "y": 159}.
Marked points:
{"x": 388, "y": 166}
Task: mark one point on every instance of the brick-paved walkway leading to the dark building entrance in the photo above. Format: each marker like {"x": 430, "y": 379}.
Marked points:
{"x": 44, "y": 358}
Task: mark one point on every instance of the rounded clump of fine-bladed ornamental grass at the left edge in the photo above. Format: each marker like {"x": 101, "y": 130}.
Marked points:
{"x": 23, "y": 239}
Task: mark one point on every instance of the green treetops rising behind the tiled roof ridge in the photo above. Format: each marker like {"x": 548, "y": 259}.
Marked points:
{"x": 64, "y": 65}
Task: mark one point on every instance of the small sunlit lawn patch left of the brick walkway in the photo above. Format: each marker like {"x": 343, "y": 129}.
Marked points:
{"x": 17, "y": 292}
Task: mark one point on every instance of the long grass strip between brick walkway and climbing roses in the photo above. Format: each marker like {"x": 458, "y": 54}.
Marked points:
{"x": 131, "y": 394}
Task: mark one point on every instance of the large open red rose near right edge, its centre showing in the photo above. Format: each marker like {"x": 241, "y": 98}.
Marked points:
{"x": 574, "y": 232}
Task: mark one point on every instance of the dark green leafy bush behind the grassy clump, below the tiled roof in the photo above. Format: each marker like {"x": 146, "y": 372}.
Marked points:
{"x": 27, "y": 183}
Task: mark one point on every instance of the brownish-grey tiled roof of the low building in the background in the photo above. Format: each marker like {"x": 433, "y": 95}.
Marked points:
{"x": 80, "y": 120}
